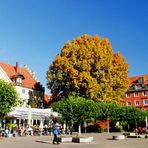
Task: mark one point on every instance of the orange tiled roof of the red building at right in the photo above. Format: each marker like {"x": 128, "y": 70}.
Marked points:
{"x": 132, "y": 80}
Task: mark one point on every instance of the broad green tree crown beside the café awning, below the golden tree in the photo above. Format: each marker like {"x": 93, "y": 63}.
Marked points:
{"x": 76, "y": 109}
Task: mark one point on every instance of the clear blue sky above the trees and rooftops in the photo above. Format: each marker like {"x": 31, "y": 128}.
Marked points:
{"x": 32, "y": 32}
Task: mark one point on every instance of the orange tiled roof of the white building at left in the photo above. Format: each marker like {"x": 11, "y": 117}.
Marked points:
{"x": 11, "y": 71}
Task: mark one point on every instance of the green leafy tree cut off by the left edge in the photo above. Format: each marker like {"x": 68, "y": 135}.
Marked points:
{"x": 8, "y": 97}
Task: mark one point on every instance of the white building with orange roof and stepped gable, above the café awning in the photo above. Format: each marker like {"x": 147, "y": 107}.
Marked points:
{"x": 29, "y": 89}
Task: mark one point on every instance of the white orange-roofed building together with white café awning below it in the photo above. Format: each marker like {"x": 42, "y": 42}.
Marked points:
{"x": 30, "y": 91}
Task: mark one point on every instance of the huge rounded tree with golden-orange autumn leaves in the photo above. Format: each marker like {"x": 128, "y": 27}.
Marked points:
{"x": 88, "y": 67}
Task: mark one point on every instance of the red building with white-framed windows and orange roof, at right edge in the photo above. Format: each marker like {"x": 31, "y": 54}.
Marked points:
{"x": 137, "y": 93}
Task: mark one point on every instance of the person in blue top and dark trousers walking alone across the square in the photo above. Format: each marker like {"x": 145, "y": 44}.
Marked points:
{"x": 55, "y": 133}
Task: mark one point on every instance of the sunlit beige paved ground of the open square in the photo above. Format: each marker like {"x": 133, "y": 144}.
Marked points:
{"x": 103, "y": 140}
